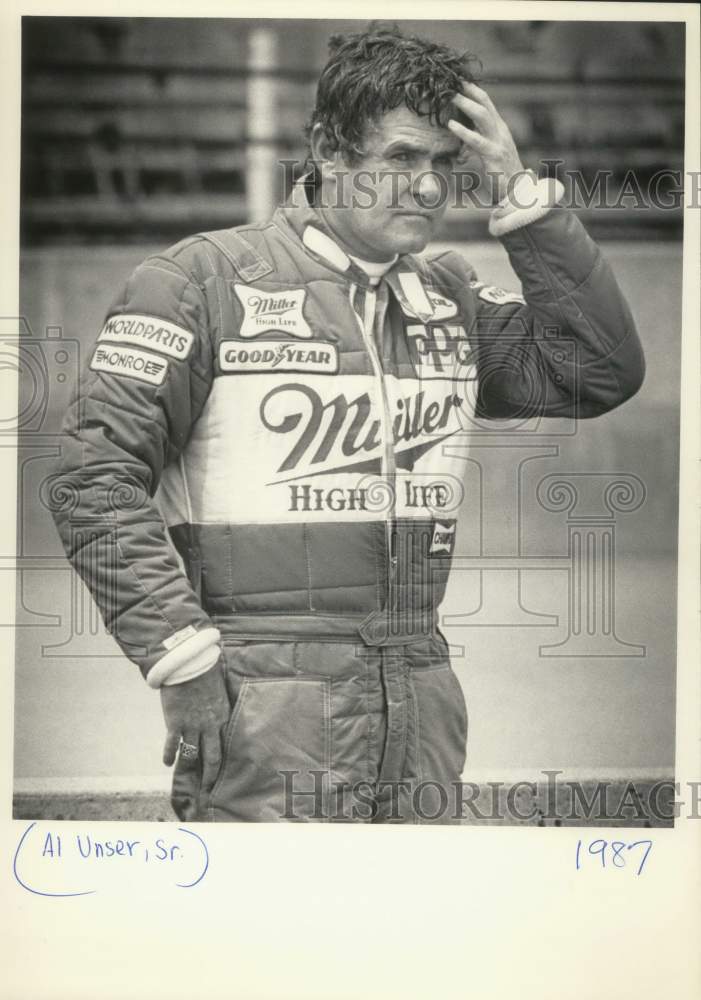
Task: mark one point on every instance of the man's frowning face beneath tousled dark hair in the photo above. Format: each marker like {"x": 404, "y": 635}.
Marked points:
{"x": 393, "y": 200}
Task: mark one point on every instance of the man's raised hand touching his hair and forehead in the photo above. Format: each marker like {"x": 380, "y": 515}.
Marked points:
{"x": 491, "y": 139}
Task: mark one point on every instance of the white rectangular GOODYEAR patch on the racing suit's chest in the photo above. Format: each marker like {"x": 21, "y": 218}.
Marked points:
{"x": 278, "y": 356}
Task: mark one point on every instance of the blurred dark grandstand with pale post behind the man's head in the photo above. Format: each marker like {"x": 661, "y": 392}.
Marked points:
{"x": 147, "y": 129}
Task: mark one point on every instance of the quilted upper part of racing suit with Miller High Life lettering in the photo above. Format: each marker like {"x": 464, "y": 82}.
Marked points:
{"x": 263, "y": 442}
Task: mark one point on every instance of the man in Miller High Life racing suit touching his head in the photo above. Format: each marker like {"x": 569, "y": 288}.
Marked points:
{"x": 288, "y": 389}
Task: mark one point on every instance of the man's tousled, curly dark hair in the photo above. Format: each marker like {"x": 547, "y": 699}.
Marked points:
{"x": 375, "y": 71}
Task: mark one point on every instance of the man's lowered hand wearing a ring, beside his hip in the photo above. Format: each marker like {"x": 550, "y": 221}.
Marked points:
{"x": 197, "y": 711}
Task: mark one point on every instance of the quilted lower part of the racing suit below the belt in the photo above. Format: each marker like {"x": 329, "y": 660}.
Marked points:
{"x": 334, "y": 732}
